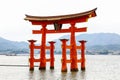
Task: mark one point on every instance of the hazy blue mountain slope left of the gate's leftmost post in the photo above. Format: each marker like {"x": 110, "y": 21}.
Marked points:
{"x": 8, "y": 46}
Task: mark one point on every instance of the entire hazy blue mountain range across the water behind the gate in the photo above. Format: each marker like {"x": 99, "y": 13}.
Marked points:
{"x": 96, "y": 42}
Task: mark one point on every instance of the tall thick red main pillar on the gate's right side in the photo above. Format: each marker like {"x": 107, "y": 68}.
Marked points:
{"x": 73, "y": 50}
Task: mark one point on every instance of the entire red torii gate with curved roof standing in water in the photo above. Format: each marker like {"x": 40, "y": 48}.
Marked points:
{"x": 71, "y": 19}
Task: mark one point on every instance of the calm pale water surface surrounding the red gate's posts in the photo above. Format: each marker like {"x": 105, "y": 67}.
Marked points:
{"x": 98, "y": 67}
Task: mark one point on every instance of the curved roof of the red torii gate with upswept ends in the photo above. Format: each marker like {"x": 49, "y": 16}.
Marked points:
{"x": 62, "y": 18}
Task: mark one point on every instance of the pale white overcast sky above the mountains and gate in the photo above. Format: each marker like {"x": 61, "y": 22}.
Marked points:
{"x": 14, "y": 27}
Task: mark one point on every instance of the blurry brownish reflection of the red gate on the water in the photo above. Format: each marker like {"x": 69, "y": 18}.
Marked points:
{"x": 55, "y": 75}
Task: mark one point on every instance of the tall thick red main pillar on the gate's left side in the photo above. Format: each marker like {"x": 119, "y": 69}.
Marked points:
{"x": 43, "y": 46}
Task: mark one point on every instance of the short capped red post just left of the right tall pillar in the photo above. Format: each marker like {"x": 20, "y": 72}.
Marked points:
{"x": 64, "y": 65}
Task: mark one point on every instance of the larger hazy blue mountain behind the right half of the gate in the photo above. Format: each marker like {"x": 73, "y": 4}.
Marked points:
{"x": 96, "y": 42}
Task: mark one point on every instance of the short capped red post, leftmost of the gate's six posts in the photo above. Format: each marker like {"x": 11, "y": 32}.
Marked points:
{"x": 31, "y": 59}
